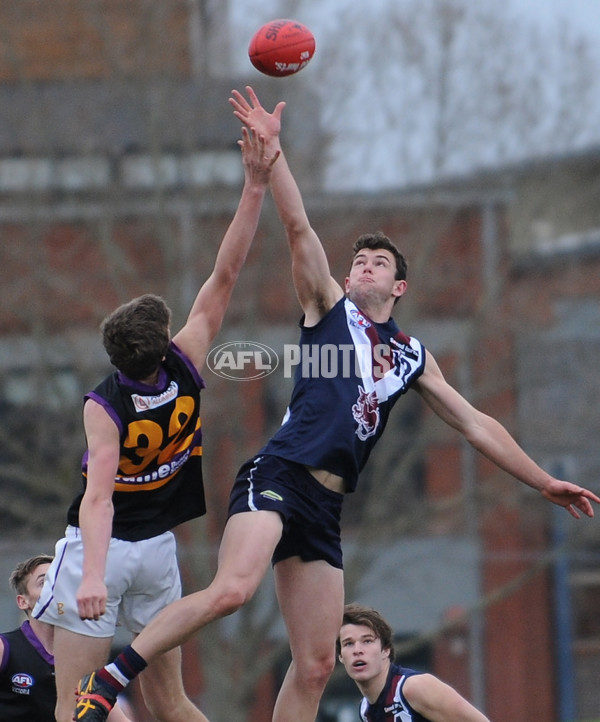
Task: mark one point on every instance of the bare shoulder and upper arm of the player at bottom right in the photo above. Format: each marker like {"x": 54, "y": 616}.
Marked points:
{"x": 439, "y": 702}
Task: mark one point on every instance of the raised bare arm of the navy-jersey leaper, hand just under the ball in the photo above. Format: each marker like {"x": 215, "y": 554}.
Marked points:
{"x": 317, "y": 291}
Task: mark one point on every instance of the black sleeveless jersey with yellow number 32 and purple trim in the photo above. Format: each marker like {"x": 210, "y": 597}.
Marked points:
{"x": 159, "y": 479}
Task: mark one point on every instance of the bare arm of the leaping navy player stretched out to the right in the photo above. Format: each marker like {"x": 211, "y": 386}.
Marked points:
{"x": 491, "y": 438}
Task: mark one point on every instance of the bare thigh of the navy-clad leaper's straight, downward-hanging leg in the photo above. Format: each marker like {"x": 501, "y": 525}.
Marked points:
{"x": 311, "y": 600}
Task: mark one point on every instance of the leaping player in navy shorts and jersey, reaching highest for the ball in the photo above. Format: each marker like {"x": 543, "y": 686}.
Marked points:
{"x": 285, "y": 504}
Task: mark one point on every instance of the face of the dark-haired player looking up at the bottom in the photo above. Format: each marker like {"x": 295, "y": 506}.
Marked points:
{"x": 361, "y": 653}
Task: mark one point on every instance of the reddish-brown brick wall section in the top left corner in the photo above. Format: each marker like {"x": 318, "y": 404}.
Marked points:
{"x": 76, "y": 39}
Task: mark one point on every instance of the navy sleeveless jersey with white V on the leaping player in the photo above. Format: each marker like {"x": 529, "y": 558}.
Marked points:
{"x": 350, "y": 374}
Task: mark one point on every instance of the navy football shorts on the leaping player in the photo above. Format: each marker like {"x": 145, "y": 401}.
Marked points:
{"x": 310, "y": 511}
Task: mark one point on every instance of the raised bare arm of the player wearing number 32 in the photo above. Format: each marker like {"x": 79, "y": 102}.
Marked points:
{"x": 208, "y": 310}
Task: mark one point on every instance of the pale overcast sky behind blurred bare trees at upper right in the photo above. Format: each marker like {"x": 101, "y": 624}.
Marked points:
{"x": 383, "y": 148}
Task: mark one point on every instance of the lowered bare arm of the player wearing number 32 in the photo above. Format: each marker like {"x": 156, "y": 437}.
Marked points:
{"x": 96, "y": 511}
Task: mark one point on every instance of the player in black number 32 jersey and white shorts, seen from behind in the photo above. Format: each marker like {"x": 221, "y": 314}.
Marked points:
{"x": 142, "y": 473}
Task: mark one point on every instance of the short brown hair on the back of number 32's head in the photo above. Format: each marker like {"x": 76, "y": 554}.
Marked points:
{"x": 136, "y": 335}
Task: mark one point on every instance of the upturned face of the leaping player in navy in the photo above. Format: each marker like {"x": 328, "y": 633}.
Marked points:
{"x": 372, "y": 277}
